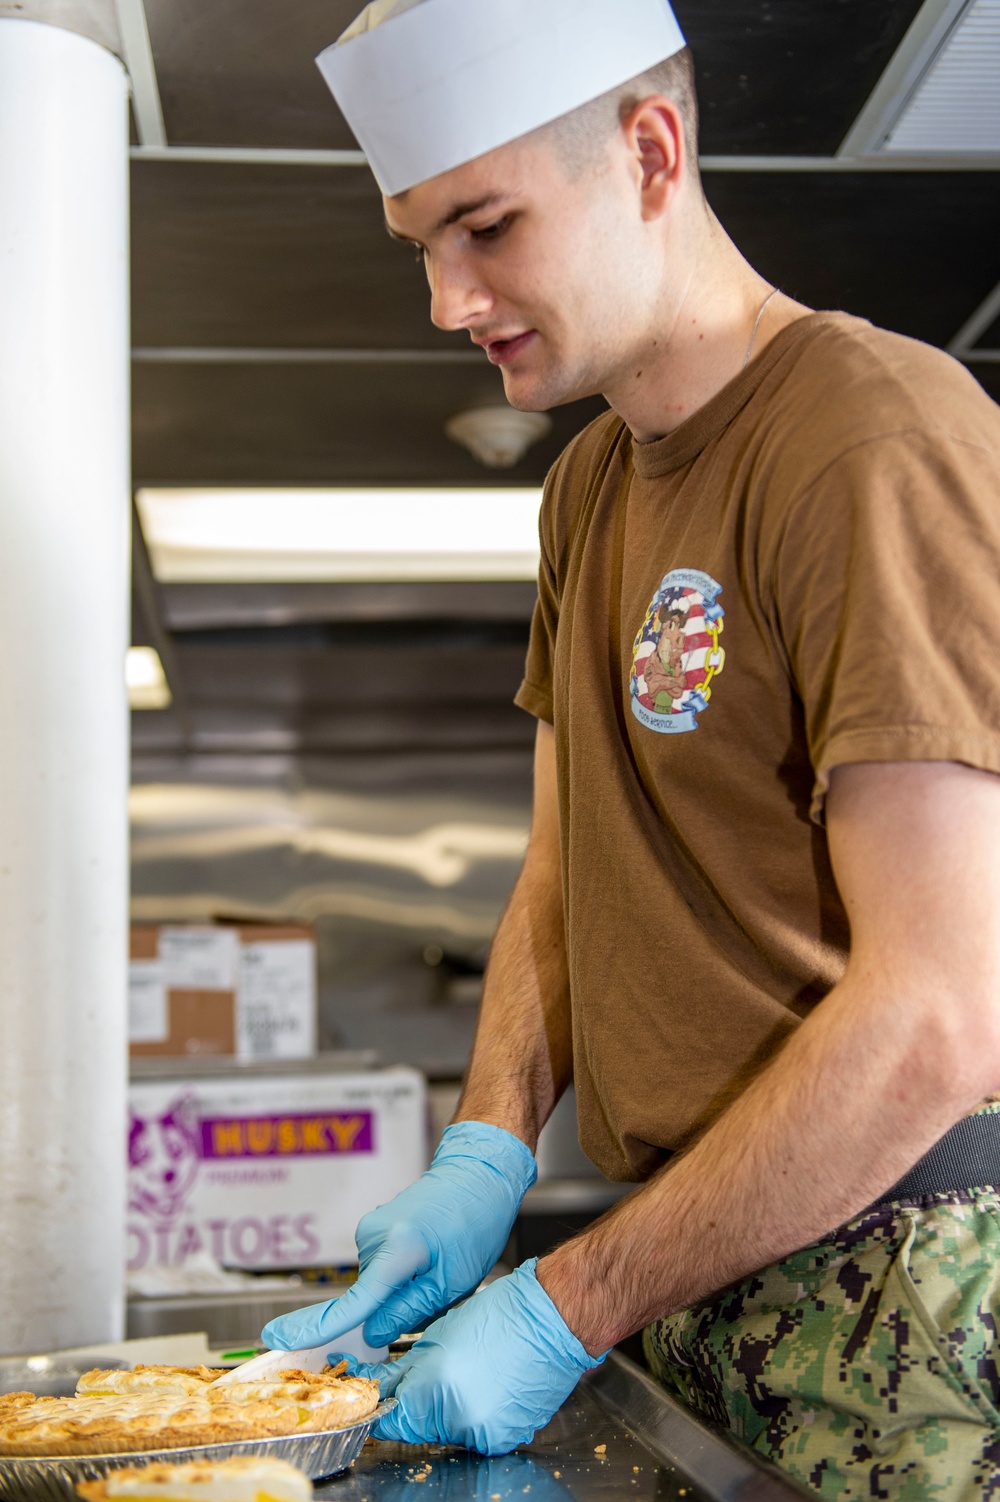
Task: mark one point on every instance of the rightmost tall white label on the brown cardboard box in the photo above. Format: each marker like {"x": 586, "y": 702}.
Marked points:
{"x": 276, "y": 1009}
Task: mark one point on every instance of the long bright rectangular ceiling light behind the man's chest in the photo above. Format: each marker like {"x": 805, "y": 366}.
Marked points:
{"x": 333, "y": 535}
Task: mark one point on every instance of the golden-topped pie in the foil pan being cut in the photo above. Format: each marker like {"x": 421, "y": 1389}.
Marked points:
{"x": 175, "y": 1408}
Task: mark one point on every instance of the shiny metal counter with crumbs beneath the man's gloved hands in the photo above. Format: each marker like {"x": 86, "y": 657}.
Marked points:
{"x": 618, "y": 1437}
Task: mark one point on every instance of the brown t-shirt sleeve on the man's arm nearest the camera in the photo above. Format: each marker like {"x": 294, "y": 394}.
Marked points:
{"x": 888, "y": 606}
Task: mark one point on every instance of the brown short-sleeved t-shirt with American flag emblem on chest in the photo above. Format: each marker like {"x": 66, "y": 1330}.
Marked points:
{"x": 807, "y": 573}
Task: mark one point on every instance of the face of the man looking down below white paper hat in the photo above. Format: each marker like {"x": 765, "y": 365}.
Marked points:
{"x": 538, "y": 267}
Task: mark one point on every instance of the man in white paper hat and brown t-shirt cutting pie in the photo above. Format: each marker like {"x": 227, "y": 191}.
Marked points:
{"x": 803, "y": 1085}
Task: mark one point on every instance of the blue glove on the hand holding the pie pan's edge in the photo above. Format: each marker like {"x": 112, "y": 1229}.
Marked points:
{"x": 489, "y": 1375}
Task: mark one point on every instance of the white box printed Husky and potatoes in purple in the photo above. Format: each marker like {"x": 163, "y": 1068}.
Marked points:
{"x": 268, "y": 1172}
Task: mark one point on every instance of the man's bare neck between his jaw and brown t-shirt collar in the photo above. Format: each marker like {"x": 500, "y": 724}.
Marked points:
{"x": 705, "y": 337}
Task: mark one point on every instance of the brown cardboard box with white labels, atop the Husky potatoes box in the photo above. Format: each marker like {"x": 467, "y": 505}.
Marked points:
{"x": 223, "y": 989}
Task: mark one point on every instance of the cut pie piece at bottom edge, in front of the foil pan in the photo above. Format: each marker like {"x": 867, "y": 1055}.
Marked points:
{"x": 244, "y": 1480}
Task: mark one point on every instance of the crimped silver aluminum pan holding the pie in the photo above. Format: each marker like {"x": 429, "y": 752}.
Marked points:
{"x": 53, "y": 1479}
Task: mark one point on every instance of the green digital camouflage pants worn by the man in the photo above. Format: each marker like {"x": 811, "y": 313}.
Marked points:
{"x": 864, "y": 1366}
